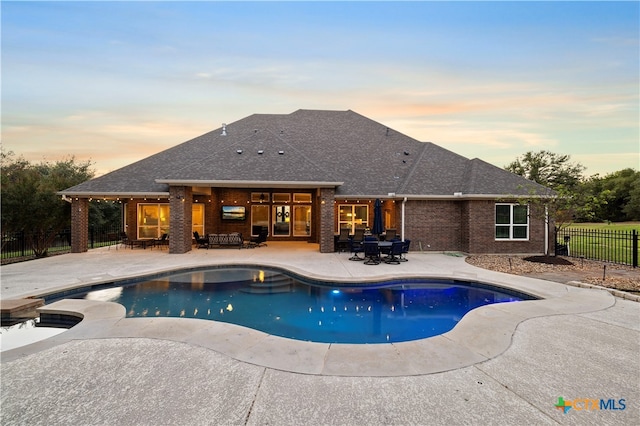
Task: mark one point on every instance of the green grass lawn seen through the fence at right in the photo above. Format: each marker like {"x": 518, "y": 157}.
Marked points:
{"x": 609, "y": 242}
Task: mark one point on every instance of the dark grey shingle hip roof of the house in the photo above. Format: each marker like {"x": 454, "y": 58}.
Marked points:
{"x": 312, "y": 148}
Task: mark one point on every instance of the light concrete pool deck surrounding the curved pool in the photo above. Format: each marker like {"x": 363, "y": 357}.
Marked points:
{"x": 503, "y": 364}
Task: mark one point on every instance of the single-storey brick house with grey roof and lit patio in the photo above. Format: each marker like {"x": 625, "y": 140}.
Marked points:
{"x": 308, "y": 174}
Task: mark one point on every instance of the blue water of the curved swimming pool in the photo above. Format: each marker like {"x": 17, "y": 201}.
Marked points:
{"x": 280, "y": 304}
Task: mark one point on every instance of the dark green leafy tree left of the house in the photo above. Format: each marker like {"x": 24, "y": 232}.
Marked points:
{"x": 29, "y": 199}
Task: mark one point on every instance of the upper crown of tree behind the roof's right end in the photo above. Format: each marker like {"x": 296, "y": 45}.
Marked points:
{"x": 552, "y": 170}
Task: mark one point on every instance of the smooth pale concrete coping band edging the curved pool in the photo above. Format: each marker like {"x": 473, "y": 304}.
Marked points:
{"x": 482, "y": 334}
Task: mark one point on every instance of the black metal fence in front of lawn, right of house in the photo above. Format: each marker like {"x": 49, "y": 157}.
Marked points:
{"x": 596, "y": 244}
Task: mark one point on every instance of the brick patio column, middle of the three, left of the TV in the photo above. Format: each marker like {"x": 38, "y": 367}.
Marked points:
{"x": 180, "y": 202}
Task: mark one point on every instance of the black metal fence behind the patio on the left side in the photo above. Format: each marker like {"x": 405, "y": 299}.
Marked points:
{"x": 17, "y": 244}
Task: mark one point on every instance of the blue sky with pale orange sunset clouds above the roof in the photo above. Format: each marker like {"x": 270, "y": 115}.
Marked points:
{"x": 115, "y": 82}
